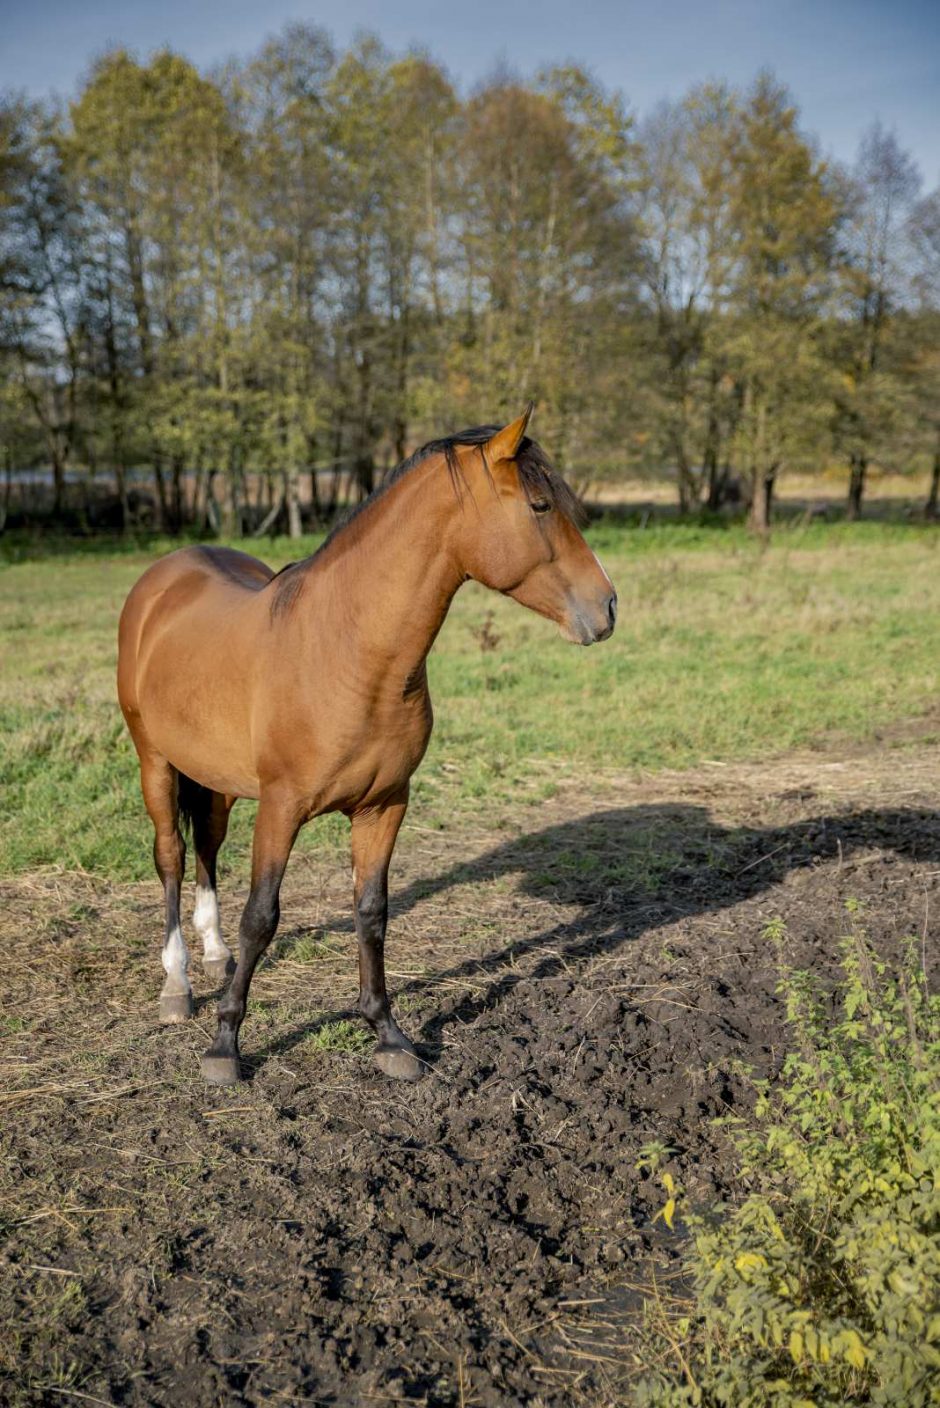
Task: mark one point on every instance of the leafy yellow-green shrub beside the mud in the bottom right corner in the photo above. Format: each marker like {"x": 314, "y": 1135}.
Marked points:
{"x": 821, "y": 1288}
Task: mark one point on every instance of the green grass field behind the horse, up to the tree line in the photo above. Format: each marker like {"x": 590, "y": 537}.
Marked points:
{"x": 723, "y": 651}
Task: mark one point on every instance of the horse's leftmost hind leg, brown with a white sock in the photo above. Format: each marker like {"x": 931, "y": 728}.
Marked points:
{"x": 158, "y": 784}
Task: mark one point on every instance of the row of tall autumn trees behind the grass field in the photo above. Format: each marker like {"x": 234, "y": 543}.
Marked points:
{"x": 258, "y": 285}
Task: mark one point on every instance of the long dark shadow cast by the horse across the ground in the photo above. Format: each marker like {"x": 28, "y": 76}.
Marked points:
{"x": 620, "y": 874}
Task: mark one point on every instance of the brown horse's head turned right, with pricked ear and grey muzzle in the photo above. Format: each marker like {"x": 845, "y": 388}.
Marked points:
{"x": 520, "y": 537}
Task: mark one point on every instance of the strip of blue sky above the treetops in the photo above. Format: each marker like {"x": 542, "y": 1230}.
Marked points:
{"x": 846, "y": 61}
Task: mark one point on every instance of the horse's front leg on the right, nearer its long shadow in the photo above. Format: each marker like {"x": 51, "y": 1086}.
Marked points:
{"x": 374, "y": 838}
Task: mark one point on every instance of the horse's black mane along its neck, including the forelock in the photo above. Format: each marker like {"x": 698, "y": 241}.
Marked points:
{"x": 540, "y": 481}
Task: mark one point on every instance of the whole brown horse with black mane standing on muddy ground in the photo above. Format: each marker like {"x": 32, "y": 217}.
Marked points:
{"x": 309, "y": 691}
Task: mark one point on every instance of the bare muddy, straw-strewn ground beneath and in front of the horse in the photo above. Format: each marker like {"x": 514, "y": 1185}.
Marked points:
{"x": 585, "y": 981}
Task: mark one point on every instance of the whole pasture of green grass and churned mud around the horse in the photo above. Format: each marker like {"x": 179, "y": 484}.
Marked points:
{"x": 596, "y": 846}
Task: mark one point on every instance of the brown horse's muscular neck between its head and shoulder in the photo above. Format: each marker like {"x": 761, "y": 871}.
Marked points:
{"x": 395, "y": 579}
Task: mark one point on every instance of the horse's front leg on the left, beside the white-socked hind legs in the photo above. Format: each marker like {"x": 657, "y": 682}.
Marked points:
{"x": 277, "y": 827}
